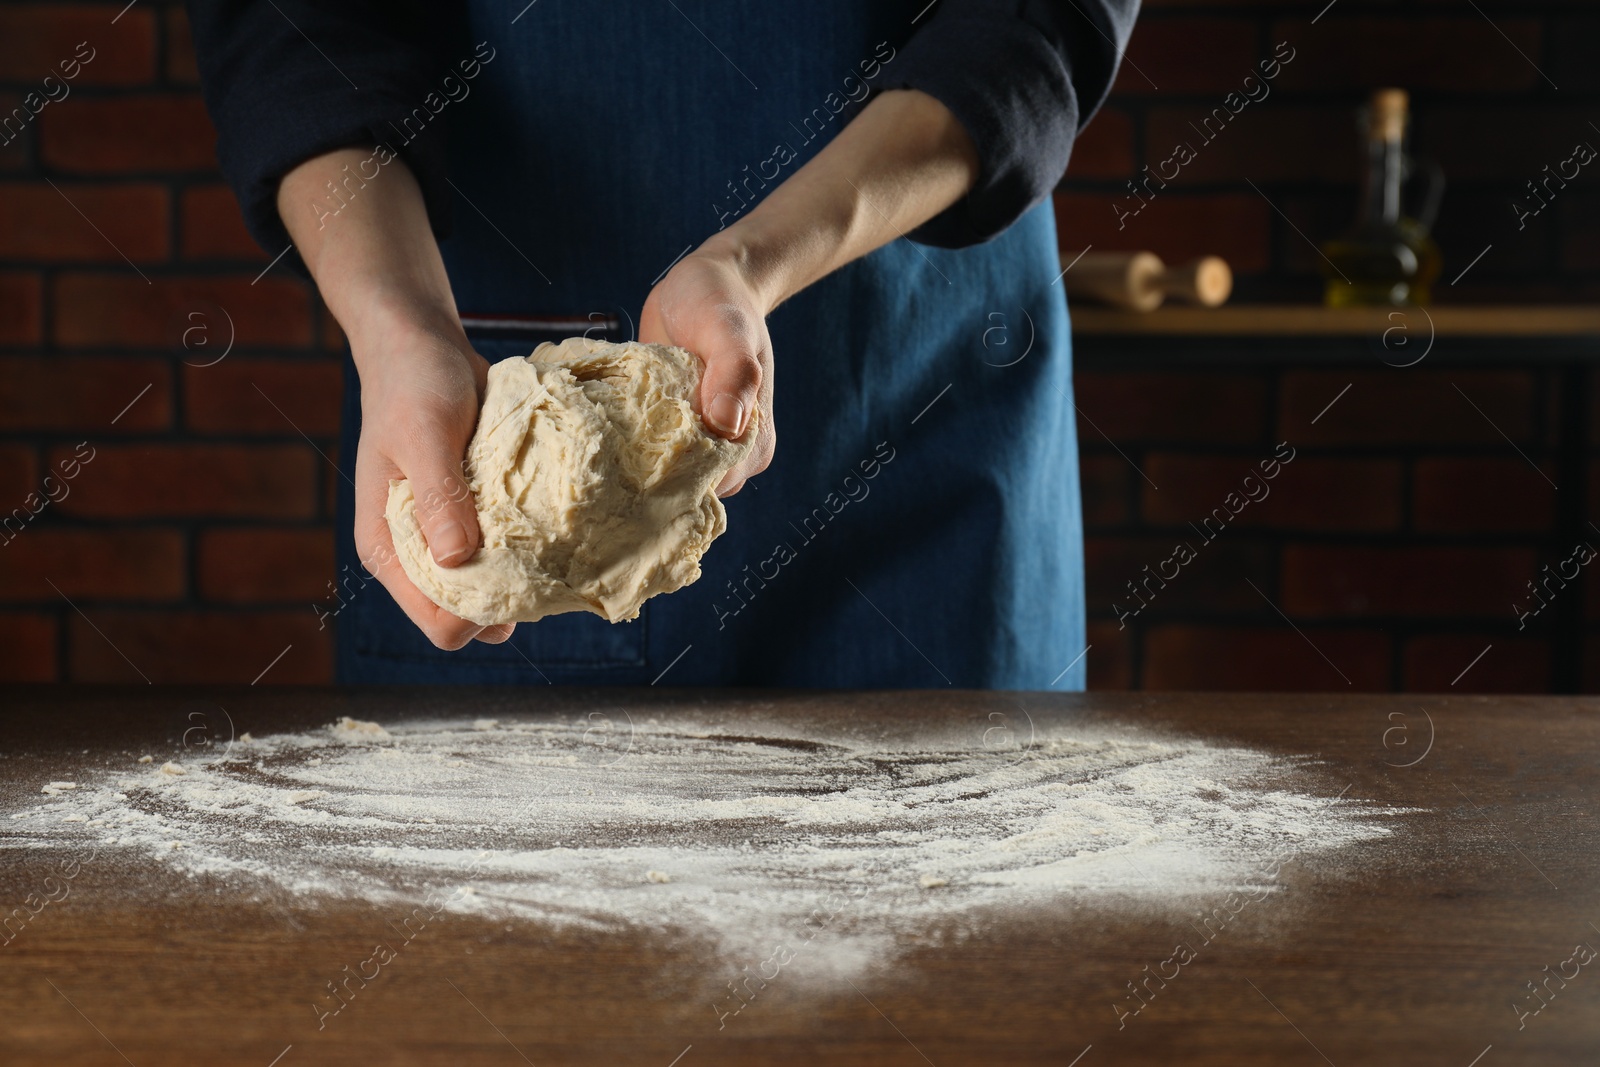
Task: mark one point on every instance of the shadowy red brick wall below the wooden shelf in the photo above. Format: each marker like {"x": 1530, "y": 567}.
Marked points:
{"x": 1386, "y": 556}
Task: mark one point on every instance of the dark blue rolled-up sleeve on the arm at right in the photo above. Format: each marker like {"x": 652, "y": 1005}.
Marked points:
{"x": 1023, "y": 78}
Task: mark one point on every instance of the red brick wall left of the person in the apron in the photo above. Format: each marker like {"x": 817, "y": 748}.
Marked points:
{"x": 193, "y": 545}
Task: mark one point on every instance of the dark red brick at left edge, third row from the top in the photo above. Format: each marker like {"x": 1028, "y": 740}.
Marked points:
{"x": 84, "y": 223}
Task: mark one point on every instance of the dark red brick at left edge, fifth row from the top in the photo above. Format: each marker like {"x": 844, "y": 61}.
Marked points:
{"x": 84, "y": 394}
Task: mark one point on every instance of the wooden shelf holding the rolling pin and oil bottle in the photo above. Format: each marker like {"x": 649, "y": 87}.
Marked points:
{"x": 1303, "y": 321}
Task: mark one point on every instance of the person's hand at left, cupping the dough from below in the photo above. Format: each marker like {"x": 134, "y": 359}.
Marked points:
{"x": 422, "y": 391}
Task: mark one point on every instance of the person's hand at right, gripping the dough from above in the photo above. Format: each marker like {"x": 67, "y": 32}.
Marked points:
{"x": 710, "y": 306}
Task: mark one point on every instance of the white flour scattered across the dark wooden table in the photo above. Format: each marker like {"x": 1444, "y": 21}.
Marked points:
{"x": 542, "y": 823}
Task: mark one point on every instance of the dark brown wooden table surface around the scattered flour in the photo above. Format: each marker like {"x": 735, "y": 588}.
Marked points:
{"x": 1414, "y": 951}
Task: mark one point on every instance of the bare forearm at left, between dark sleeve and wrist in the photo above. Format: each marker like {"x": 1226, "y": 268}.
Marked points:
{"x": 370, "y": 250}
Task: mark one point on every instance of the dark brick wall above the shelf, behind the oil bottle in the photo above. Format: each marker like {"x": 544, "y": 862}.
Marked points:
{"x": 1498, "y": 92}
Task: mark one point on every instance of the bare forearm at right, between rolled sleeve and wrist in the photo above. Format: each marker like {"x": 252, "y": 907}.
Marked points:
{"x": 900, "y": 164}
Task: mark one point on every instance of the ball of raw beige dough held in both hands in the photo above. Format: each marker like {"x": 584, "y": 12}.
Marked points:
{"x": 594, "y": 484}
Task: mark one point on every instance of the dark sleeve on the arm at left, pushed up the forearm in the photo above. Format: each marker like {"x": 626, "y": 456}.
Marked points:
{"x": 287, "y": 81}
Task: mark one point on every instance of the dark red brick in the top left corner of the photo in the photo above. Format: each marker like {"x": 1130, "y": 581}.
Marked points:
{"x": 36, "y": 39}
